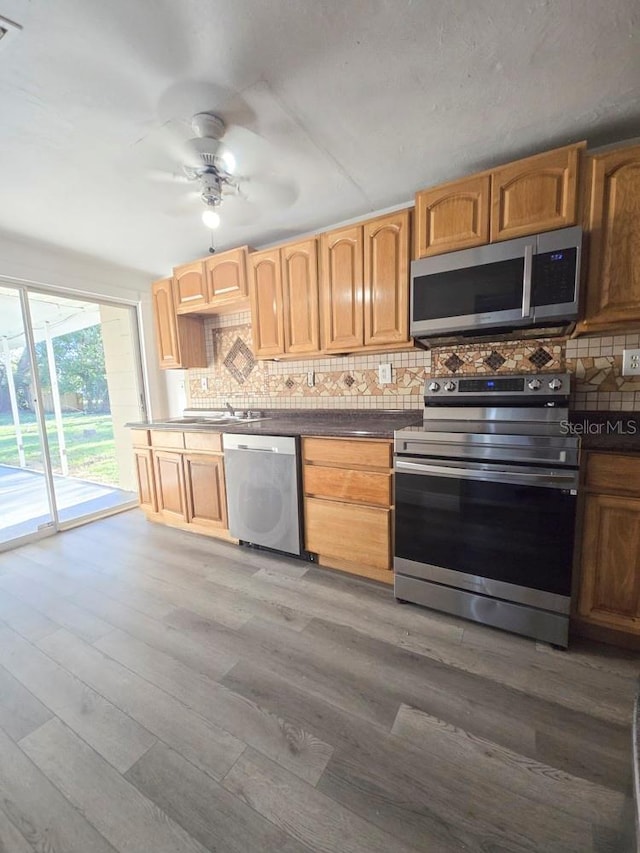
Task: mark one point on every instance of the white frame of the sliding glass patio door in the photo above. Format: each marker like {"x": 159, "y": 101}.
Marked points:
{"x": 135, "y": 313}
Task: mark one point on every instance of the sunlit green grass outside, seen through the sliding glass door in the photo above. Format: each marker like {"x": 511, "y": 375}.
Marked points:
{"x": 88, "y": 439}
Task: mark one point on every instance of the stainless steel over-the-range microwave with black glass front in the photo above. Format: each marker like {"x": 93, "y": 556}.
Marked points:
{"x": 531, "y": 281}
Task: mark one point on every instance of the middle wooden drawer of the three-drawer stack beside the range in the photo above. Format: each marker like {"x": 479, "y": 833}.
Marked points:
{"x": 342, "y": 484}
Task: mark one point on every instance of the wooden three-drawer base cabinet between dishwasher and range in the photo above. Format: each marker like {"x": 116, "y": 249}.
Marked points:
{"x": 348, "y": 504}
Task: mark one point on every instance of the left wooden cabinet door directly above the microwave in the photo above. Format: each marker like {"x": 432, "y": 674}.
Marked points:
{"x": 453, "y": 216}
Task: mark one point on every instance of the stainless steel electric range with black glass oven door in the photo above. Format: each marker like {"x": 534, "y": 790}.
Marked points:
{"x": 485, "y": 494}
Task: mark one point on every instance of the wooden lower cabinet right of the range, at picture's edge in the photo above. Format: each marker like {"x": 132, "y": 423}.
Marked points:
{"x": 610, "y": 547}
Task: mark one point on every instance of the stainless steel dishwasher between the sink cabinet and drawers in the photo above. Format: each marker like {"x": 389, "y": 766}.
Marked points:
{"x": 263, "y": 494}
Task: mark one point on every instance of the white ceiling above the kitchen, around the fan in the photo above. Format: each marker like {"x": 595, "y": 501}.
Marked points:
{"x": 358, "y": 103}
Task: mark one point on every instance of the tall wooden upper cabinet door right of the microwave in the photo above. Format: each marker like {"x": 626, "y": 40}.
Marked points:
{"x": 613, "y": 215}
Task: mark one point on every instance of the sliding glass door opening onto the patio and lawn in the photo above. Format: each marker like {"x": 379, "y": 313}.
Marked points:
{"x": 65, "y": 454}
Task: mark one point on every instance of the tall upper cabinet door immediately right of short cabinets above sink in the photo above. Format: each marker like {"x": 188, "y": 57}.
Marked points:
{"x": 265, "y": 291}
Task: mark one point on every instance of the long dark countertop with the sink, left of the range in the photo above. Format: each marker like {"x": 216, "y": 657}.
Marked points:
{"x": 350, "y": 423}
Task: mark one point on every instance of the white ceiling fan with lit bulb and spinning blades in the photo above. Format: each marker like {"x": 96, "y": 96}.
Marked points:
{"x": 208, "y": 162}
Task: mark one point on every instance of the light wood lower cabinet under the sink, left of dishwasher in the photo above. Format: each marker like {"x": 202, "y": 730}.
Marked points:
{"x": 181, "y": 479}
